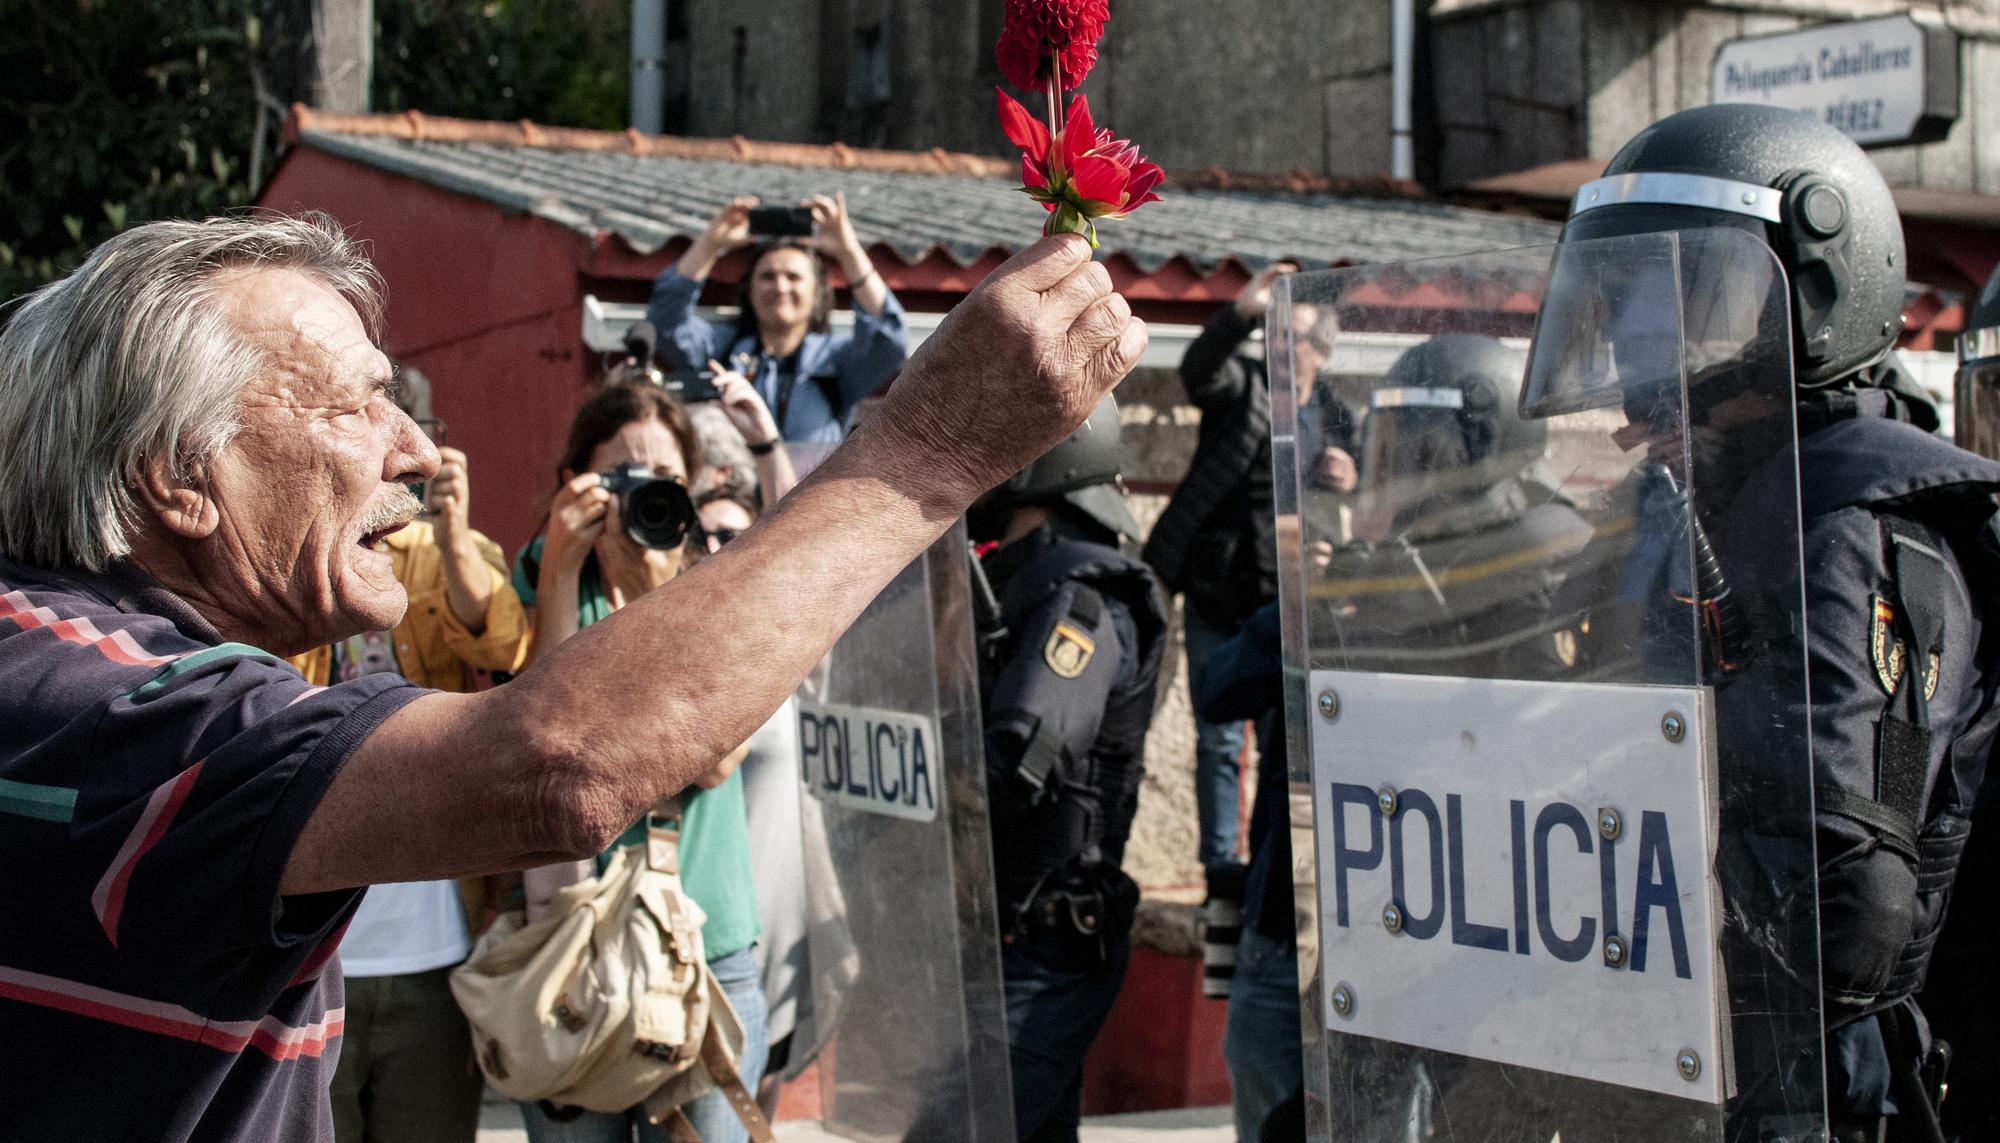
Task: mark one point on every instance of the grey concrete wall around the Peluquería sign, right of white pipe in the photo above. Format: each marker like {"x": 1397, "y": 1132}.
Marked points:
{"x": 1523, "y": 83}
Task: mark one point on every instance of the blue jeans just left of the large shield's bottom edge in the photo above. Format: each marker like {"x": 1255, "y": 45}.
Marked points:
{"x": 1261, "y": 1040}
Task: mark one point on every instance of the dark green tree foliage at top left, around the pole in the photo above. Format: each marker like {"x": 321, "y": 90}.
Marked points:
{"x": 117, "y": 113}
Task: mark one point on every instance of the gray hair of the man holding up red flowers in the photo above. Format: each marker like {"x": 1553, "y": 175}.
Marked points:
{"x": 129, "y": 361}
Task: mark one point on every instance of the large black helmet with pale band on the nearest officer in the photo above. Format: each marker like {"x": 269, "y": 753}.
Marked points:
{"x": 1799, "y": 185}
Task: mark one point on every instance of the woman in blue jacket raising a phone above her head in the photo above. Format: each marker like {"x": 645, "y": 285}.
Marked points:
{"x": 783, "y": 337}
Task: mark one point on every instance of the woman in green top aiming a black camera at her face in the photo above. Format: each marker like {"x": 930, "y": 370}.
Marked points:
{"x": 619, "y": 529}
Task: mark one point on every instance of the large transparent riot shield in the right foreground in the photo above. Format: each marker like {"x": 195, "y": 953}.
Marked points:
{"x": 1547, "y": 696}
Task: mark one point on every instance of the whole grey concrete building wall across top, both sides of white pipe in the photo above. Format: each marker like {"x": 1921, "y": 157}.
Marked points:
{"x": 1289, "y": 85}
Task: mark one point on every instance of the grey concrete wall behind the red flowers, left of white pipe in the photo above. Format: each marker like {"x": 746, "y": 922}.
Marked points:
{"x": 1257, "y": 87}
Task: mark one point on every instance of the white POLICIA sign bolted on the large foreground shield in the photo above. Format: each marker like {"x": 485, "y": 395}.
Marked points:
{"x": 1523, "y": 872}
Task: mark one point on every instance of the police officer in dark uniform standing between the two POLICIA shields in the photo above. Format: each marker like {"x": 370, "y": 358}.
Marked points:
{"x": 1071, "y": 632}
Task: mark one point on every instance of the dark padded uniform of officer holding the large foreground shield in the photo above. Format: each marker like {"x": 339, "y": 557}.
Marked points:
{"x": 1901, "y": 578}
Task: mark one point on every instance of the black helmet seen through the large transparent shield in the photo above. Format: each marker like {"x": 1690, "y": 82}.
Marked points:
{"x": 1463, "y": 393}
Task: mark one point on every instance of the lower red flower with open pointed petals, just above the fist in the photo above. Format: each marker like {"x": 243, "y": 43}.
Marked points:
{"x": 1081, "y": 173}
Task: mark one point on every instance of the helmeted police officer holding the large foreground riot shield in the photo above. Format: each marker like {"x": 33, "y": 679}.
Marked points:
{"x": 1901, "y": 572}
